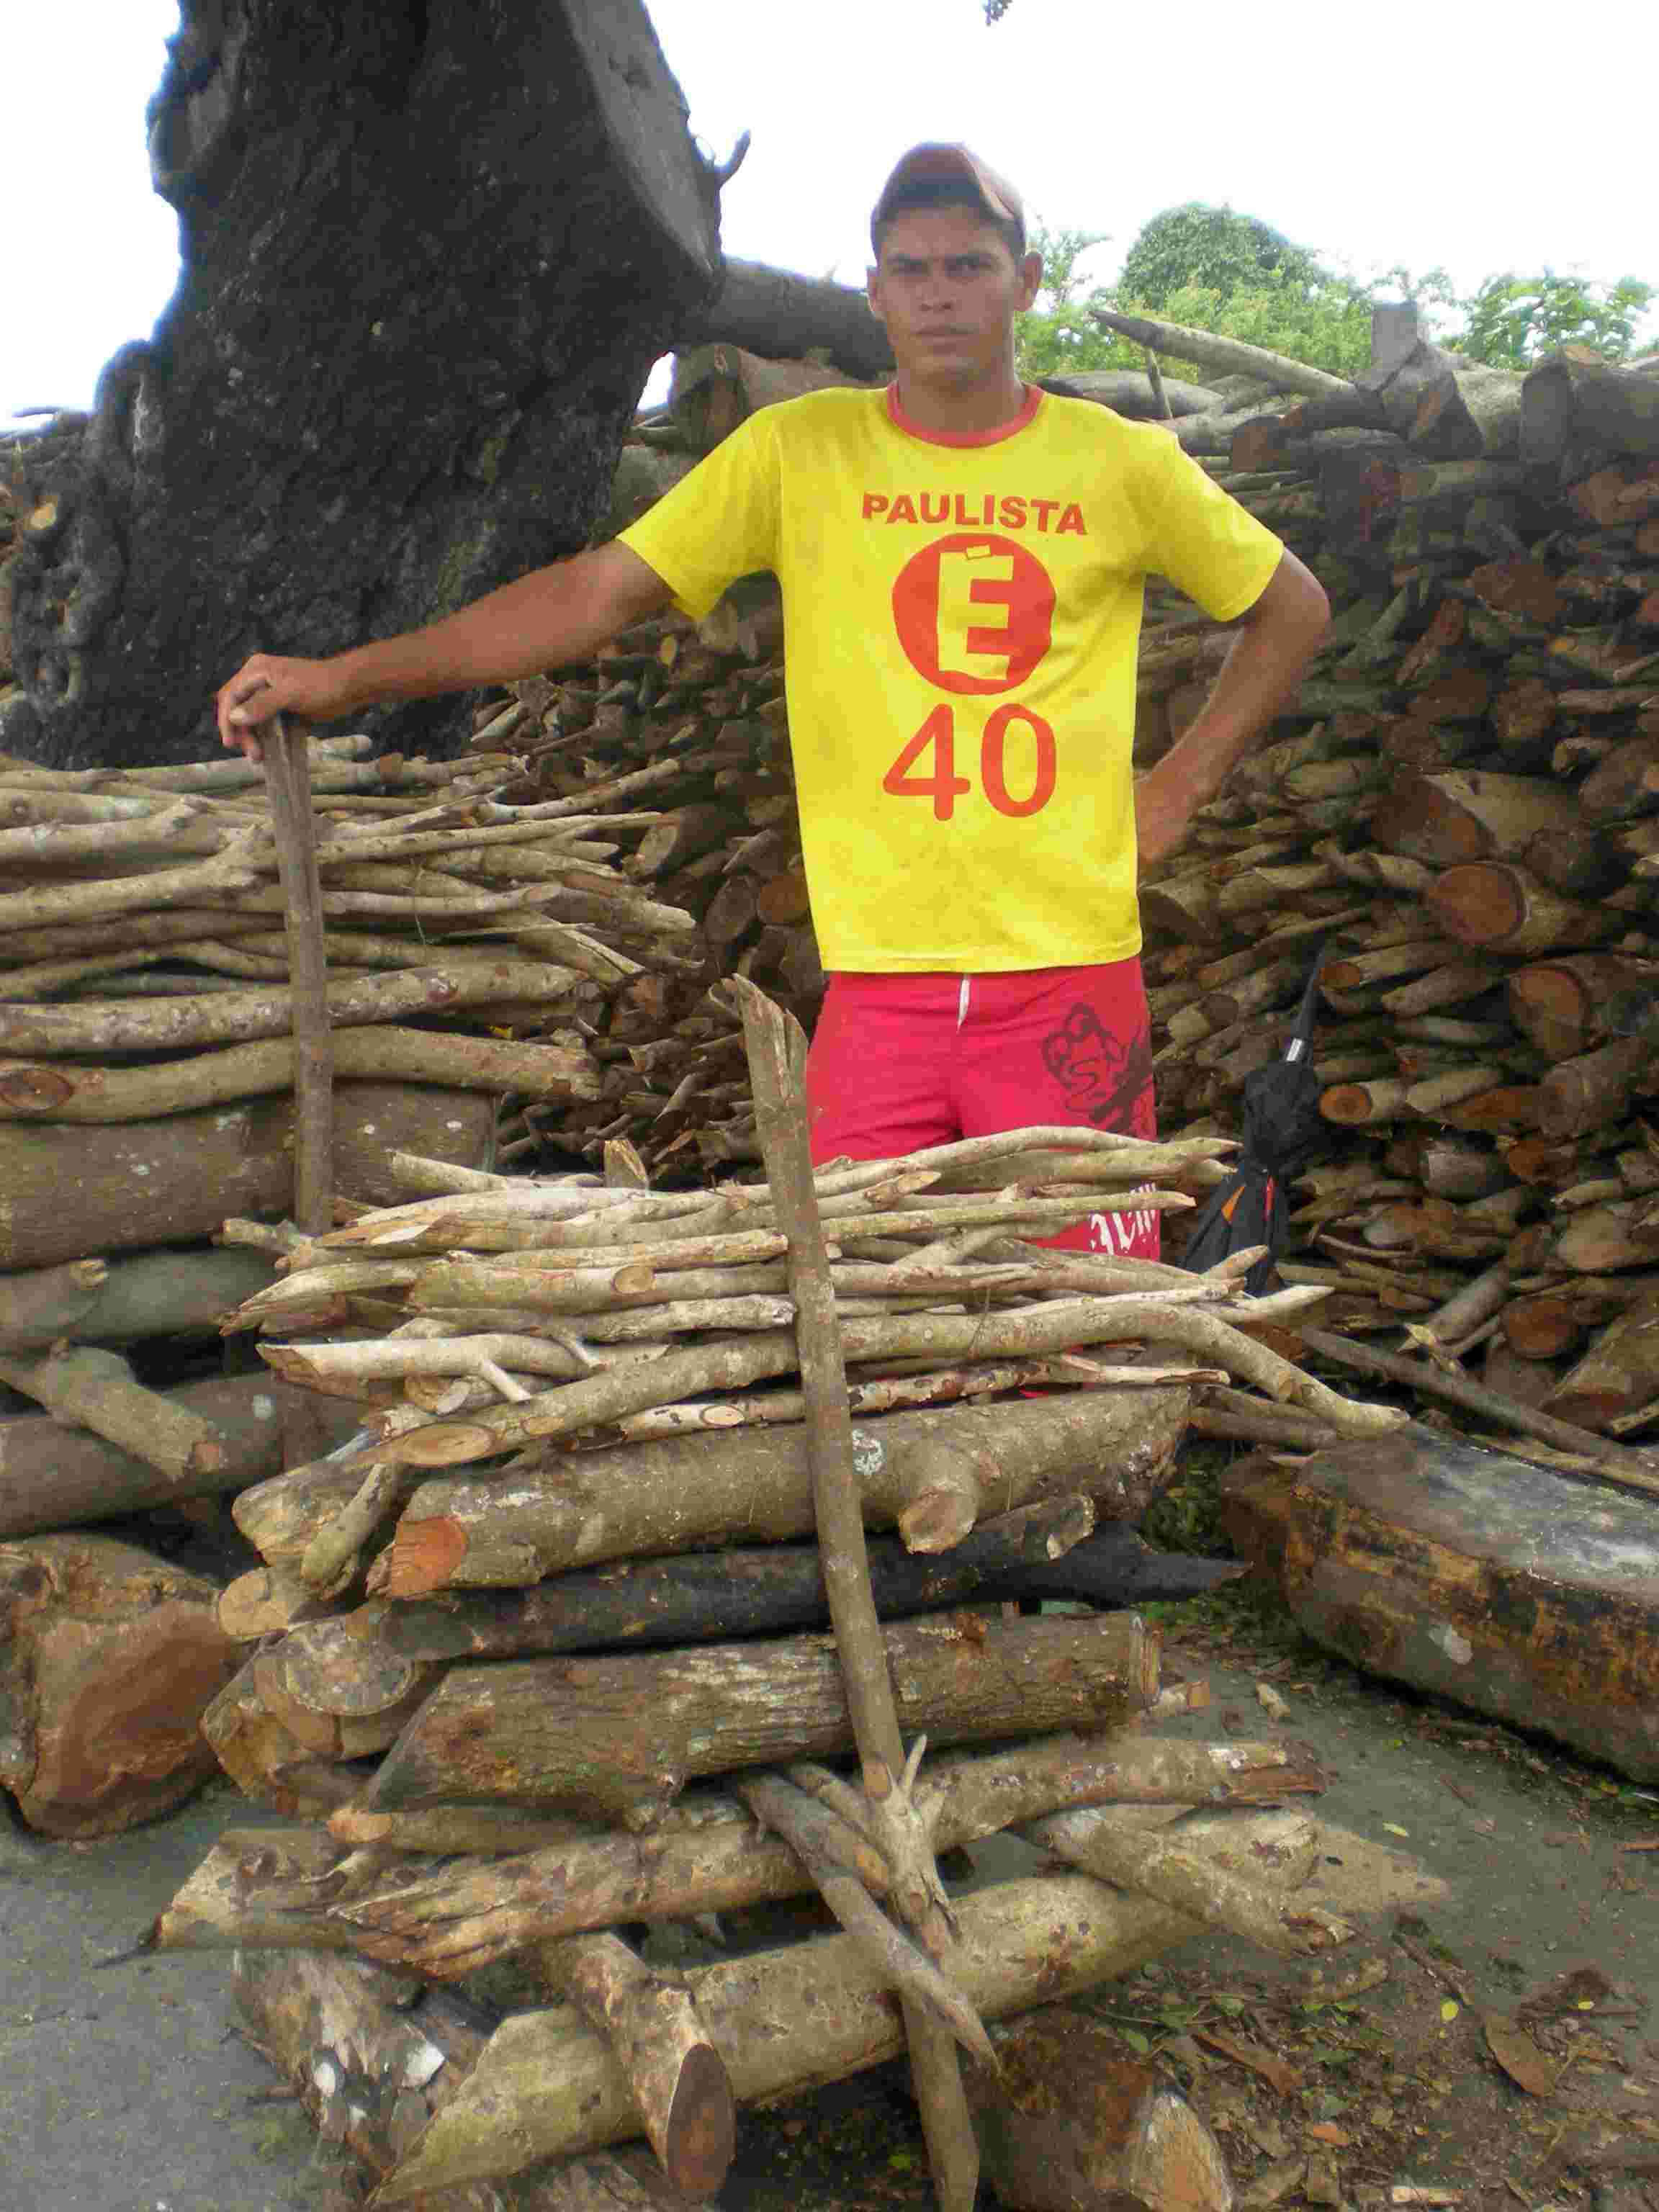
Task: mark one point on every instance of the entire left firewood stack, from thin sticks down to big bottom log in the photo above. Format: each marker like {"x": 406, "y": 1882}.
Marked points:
{"x": 145, "y": 1094}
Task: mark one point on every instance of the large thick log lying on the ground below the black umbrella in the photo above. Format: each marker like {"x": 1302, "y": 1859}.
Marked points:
{"x": 1474, "y": 1576}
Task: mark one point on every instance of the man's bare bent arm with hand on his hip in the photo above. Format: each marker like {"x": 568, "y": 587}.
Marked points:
{"x": 1277, "y": 640}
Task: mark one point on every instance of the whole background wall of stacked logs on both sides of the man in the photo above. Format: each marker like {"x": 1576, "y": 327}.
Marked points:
{"x": 1459, "y": 808}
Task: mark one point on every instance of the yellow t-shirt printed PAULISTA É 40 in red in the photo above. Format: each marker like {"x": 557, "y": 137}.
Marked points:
{"x": 961, "y": 625}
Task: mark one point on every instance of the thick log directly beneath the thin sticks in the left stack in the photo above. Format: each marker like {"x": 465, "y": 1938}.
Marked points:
{"x": 72, "y": 1191}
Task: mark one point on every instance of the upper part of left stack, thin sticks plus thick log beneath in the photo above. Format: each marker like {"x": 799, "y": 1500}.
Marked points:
{"x": 145, "y": 977}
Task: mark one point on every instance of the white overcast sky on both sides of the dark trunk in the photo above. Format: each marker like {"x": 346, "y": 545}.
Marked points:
{"x": 1417, "y": 138}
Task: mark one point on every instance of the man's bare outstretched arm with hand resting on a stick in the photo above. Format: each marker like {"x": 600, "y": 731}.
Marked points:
{"x": 545, "y": 620}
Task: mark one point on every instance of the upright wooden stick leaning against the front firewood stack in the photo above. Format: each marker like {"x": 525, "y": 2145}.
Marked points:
{"x": 778, "y": 1065}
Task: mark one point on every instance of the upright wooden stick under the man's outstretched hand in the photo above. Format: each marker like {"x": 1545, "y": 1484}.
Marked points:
{"x": 291, "y": 815}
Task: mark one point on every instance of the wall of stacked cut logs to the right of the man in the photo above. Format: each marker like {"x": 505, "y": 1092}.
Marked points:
{"x": 1459, "y": 815}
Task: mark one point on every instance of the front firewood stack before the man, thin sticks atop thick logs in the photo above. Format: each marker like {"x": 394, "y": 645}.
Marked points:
{"x": 545, "y": 1704}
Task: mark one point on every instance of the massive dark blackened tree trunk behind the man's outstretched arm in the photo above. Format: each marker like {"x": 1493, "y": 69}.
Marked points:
{"x": 430, "y": 253}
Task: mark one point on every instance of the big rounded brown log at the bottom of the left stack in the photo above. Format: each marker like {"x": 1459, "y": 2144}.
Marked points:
{"x": 107, "y": 1665}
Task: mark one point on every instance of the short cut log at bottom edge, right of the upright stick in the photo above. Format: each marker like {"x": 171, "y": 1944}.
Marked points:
{"x": 1074, "y": 2127}
